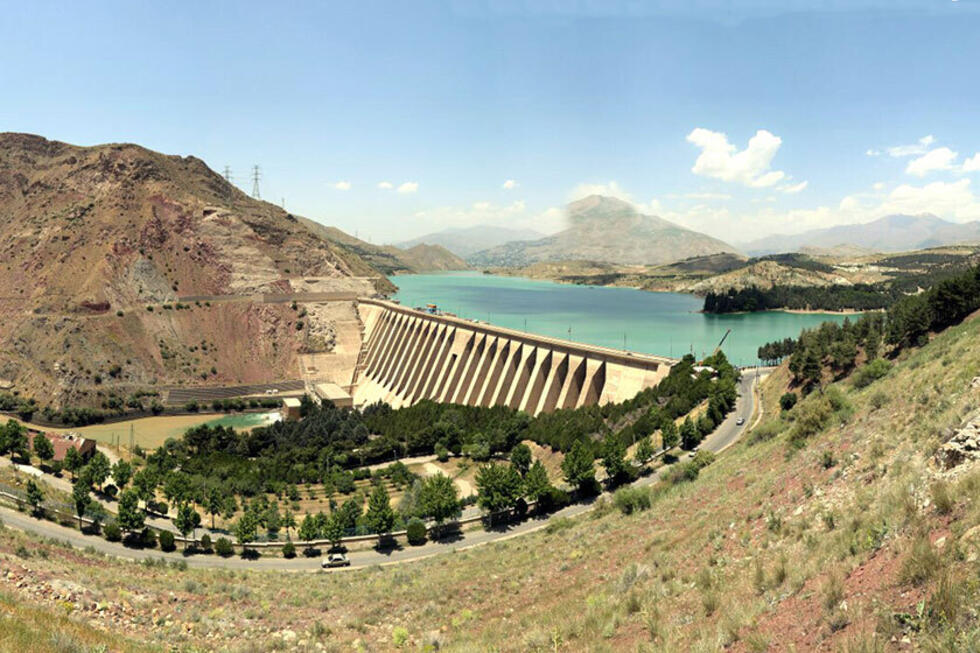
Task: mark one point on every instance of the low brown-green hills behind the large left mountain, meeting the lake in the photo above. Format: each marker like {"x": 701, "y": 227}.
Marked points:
{"x": 388, "y": 258}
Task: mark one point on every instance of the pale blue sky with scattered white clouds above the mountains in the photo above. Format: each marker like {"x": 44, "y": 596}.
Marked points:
{"x": 394, "y": 119}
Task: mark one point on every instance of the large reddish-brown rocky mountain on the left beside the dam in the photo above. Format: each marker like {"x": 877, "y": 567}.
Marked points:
{"x": 125, "y": 269}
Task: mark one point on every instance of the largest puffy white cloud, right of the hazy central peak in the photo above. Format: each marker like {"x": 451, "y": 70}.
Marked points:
{"x": 719, "y": 159}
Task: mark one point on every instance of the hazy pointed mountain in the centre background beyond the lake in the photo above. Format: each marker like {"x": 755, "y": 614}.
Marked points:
{"x": 606, "y": 230}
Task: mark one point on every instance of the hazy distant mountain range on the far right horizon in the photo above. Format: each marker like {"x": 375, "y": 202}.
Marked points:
{"x": 893, "y": 233}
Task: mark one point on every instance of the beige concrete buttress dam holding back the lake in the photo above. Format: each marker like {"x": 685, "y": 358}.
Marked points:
{"x": 408, "y": 355}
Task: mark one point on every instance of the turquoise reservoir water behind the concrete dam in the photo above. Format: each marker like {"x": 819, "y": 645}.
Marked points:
{"x": 667, "y": 324}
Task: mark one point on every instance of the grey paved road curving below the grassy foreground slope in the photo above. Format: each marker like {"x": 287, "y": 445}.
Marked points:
{"x": 726, "y": 434}
